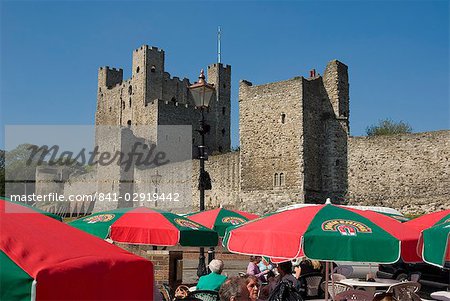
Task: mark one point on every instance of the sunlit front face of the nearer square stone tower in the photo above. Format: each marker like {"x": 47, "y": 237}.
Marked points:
{"x": 271, "y": 125}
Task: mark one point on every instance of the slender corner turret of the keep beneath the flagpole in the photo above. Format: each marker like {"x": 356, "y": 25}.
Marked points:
{"x": 220, "y": 107}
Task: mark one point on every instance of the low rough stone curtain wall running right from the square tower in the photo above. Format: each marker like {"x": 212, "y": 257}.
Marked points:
{"x": 408, "y": 172}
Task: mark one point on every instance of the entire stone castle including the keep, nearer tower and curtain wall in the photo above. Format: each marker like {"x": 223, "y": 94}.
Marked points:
{"x": 294, "y": 143}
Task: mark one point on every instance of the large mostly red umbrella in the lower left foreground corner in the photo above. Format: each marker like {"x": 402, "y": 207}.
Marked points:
{"x": 44, "y": 259}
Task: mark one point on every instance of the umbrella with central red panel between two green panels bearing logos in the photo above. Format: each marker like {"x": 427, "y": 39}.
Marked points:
{"x": 142, "y": 225}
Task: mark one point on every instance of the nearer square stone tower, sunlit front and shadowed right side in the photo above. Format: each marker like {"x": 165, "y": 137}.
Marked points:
{"x": 294, "y": 139}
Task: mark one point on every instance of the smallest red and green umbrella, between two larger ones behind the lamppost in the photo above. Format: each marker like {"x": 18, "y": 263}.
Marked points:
{"x": 220, "y": 219}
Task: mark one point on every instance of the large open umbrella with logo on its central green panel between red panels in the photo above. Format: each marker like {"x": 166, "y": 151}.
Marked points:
{"x": 325, "y": 232}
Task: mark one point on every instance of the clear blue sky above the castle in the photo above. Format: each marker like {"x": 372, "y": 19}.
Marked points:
{"x": 397, "y": 52}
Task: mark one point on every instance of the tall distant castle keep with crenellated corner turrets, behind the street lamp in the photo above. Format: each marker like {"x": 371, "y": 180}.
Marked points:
{"x": 146, "y": 102}
